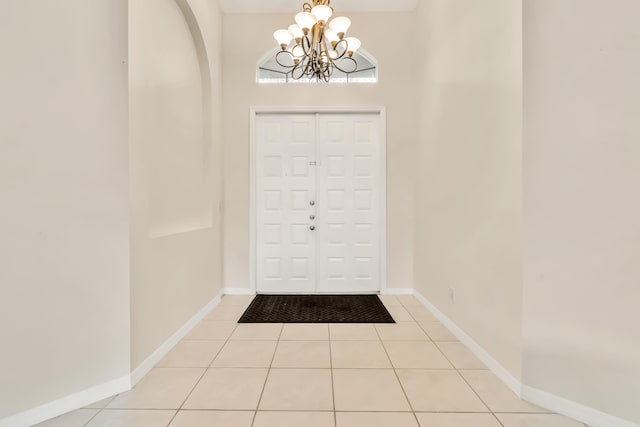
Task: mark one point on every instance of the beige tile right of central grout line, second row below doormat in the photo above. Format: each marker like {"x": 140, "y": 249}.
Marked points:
{"x": 359, "y": 354}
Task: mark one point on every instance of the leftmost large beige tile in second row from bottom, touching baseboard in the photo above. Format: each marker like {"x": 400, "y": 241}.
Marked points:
{"x": 162, "y": 388}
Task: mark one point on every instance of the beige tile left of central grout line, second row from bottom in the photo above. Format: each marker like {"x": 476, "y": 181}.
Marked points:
{"x": 298, "y": 390}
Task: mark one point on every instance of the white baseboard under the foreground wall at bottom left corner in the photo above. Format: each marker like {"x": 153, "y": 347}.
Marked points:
{"x": 67, "y": 404}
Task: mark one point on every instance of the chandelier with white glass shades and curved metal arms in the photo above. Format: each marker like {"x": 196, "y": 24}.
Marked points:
{"x": 315, "y": 47}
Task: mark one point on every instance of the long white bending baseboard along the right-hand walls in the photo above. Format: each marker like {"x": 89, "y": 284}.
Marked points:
{"x": 560, "y": 405}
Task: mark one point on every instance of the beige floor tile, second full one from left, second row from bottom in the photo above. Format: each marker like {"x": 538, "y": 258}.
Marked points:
{"x": 228, "y": 388}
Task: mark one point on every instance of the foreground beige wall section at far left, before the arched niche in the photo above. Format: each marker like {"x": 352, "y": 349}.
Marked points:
{"x": 64, "y": 250}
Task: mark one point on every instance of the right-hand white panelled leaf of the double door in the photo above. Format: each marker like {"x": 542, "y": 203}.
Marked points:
{"x": 348, "y": 258}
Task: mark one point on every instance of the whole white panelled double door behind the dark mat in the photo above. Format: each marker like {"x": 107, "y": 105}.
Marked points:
{"x": 318, "y": 201}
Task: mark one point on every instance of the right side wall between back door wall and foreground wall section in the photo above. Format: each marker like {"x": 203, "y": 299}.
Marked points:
{"x": 468, "y": 182}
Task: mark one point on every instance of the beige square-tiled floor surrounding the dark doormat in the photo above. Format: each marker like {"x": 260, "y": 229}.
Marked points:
{"x": 414, "y": 373}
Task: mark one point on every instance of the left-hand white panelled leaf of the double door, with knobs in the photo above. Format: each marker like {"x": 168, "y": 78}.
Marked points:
{"x": 285, "y": 187}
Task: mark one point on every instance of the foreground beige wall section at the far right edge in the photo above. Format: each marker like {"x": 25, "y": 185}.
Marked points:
{"x": 582, "y": 202}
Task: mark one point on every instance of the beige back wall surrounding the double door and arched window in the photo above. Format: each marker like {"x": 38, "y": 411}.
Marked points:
{"x": 395, "y": 91}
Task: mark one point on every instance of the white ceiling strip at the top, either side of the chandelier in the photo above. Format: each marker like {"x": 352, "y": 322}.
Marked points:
{"x": 293, "y": 6}
